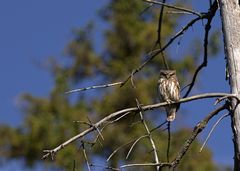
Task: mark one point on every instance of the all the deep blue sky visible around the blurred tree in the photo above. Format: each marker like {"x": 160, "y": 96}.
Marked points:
{"x": 31, "y": 31}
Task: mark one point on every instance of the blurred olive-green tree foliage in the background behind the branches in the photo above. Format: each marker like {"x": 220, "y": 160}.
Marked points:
{"x": 49, "y": 121}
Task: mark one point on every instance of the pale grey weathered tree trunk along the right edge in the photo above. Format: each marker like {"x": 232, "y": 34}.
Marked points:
{"x": 230, "y": 14}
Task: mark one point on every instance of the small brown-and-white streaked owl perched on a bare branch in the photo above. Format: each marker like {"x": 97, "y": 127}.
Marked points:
{"x": 169, "y": 91}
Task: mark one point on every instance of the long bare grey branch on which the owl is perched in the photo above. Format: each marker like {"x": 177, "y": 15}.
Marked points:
{"x": 119, "y": 113}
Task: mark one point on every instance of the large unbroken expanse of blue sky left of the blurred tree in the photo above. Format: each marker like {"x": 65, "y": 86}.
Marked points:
{"x": 31, "y": 31}
